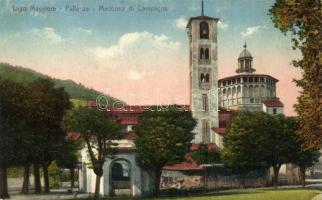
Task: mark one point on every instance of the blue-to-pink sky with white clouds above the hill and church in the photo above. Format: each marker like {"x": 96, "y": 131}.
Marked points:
{"x": 137, "y": 50}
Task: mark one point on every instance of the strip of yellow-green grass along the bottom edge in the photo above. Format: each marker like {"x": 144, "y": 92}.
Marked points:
{"x": 247, "y": 194}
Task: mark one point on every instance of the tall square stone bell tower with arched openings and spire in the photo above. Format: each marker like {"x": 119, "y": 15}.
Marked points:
{"x": 202, "y": 33}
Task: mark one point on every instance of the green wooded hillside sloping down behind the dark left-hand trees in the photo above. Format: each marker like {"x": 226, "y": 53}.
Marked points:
{"x": 24, "y": 76}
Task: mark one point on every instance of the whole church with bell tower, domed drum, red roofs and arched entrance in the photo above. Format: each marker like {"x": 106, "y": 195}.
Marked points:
{"x": 211, "y": 102}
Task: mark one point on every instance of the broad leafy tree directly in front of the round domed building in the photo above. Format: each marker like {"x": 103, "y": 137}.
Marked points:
{"x": 258, "y": 140}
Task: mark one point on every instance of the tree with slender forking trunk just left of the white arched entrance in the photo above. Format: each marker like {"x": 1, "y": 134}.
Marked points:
{"x": 97, "y": 129}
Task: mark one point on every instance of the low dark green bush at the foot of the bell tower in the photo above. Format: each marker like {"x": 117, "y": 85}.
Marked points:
{"x": 205, "y": 156}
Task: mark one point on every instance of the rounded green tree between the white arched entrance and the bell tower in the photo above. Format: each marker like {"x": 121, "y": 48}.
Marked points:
{"x": 163, "y": 137}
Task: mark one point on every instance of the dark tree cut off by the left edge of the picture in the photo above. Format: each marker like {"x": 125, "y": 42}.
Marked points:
{"x": 10, "y": 130}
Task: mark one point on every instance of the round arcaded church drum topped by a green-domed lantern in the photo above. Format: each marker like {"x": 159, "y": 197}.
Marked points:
{"x": 246, "y": 90}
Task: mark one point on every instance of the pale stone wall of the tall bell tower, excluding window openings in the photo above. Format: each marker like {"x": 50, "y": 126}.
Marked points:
{"x": 210, "y": 90}
